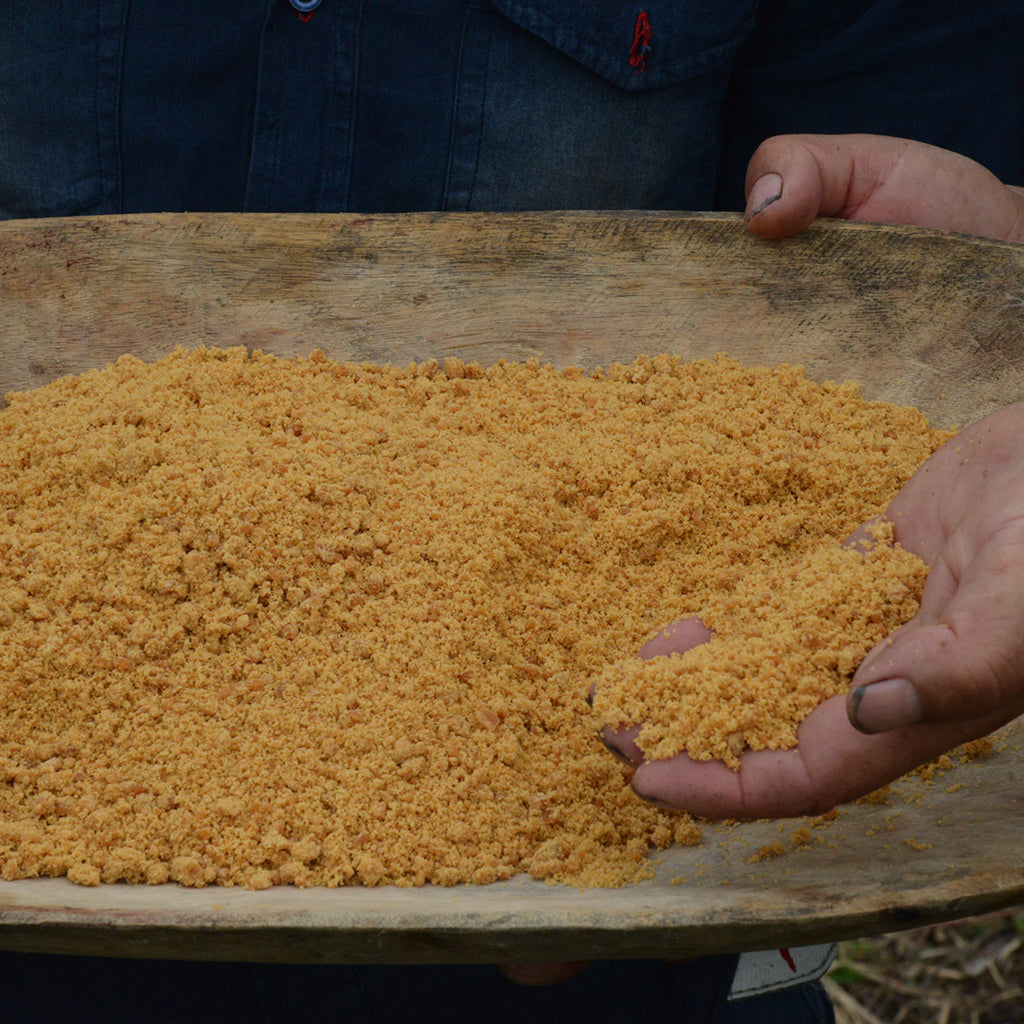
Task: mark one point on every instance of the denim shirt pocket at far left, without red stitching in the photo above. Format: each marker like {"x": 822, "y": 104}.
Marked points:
{"x": 60, "y": 80}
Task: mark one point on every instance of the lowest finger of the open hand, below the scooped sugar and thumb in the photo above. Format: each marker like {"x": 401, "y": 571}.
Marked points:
{"x": 832, "y": 764}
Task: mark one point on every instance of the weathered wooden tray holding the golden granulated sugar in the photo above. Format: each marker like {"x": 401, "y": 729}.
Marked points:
{"x": 921, "y": 318}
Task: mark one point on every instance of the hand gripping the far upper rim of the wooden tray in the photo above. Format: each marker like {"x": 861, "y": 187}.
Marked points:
{"x": 792, "y": 180}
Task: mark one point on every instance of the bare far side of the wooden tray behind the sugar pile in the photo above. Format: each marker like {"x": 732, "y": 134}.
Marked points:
{"x": 919, "y": 317}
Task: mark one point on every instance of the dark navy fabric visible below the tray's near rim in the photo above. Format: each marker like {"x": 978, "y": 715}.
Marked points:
{"x": 41, "y": 990}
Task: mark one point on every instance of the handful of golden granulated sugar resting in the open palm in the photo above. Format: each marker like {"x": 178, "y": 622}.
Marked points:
{"x": 790, "y": 635}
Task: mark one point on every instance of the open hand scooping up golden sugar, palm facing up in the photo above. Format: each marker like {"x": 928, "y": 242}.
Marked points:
{"x": 954, "y": 673}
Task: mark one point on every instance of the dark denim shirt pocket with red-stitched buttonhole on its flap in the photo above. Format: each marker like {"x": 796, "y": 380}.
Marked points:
{"x": 599, "y": 106}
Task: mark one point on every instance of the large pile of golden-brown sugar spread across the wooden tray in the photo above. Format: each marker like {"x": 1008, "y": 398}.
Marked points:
{"x": 269, "y": 621}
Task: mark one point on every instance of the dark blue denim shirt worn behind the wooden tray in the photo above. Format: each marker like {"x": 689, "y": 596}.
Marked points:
{"x": 111, "y": 106}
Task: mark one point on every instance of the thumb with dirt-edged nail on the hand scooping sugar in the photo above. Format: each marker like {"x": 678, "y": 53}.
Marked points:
{"x": 962, "y": 658}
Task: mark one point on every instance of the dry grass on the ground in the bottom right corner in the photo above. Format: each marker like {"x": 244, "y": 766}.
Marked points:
{"x": 966, "y": 972}
